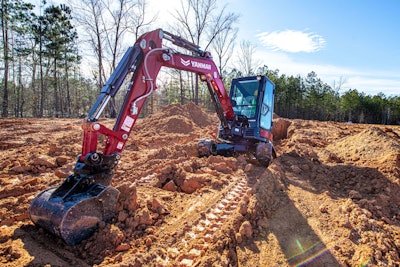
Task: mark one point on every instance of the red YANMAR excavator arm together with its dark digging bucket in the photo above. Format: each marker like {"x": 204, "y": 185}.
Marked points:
{"x": 74, "y": 209}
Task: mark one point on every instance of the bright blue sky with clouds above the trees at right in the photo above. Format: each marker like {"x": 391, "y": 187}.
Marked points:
{"x": 354, "y": 41}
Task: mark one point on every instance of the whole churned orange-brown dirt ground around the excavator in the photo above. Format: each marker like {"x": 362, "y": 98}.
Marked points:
{"x": 330, "y": 198}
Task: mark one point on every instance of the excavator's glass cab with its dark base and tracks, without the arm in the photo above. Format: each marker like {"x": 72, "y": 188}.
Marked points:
{"x": 250, "y": 132}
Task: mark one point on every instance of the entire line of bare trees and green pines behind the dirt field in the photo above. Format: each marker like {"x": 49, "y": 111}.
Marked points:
{"x": 55, "y": 59}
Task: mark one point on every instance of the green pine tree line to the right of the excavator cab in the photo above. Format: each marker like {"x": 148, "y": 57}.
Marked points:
{"x": 310, "y": 98}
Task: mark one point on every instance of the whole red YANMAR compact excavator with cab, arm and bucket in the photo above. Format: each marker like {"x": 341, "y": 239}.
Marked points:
{"x": 74, "y": 209}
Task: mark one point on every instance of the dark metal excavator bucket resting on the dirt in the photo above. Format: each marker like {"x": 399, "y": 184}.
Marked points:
{"x": 73, "y": 216}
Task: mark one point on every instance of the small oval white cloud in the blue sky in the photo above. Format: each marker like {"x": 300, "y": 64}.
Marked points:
{"x": 292, "y": 41}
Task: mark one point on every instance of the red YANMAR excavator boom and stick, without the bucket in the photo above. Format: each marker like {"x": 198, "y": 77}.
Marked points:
{"x": 144, "y": 61}
